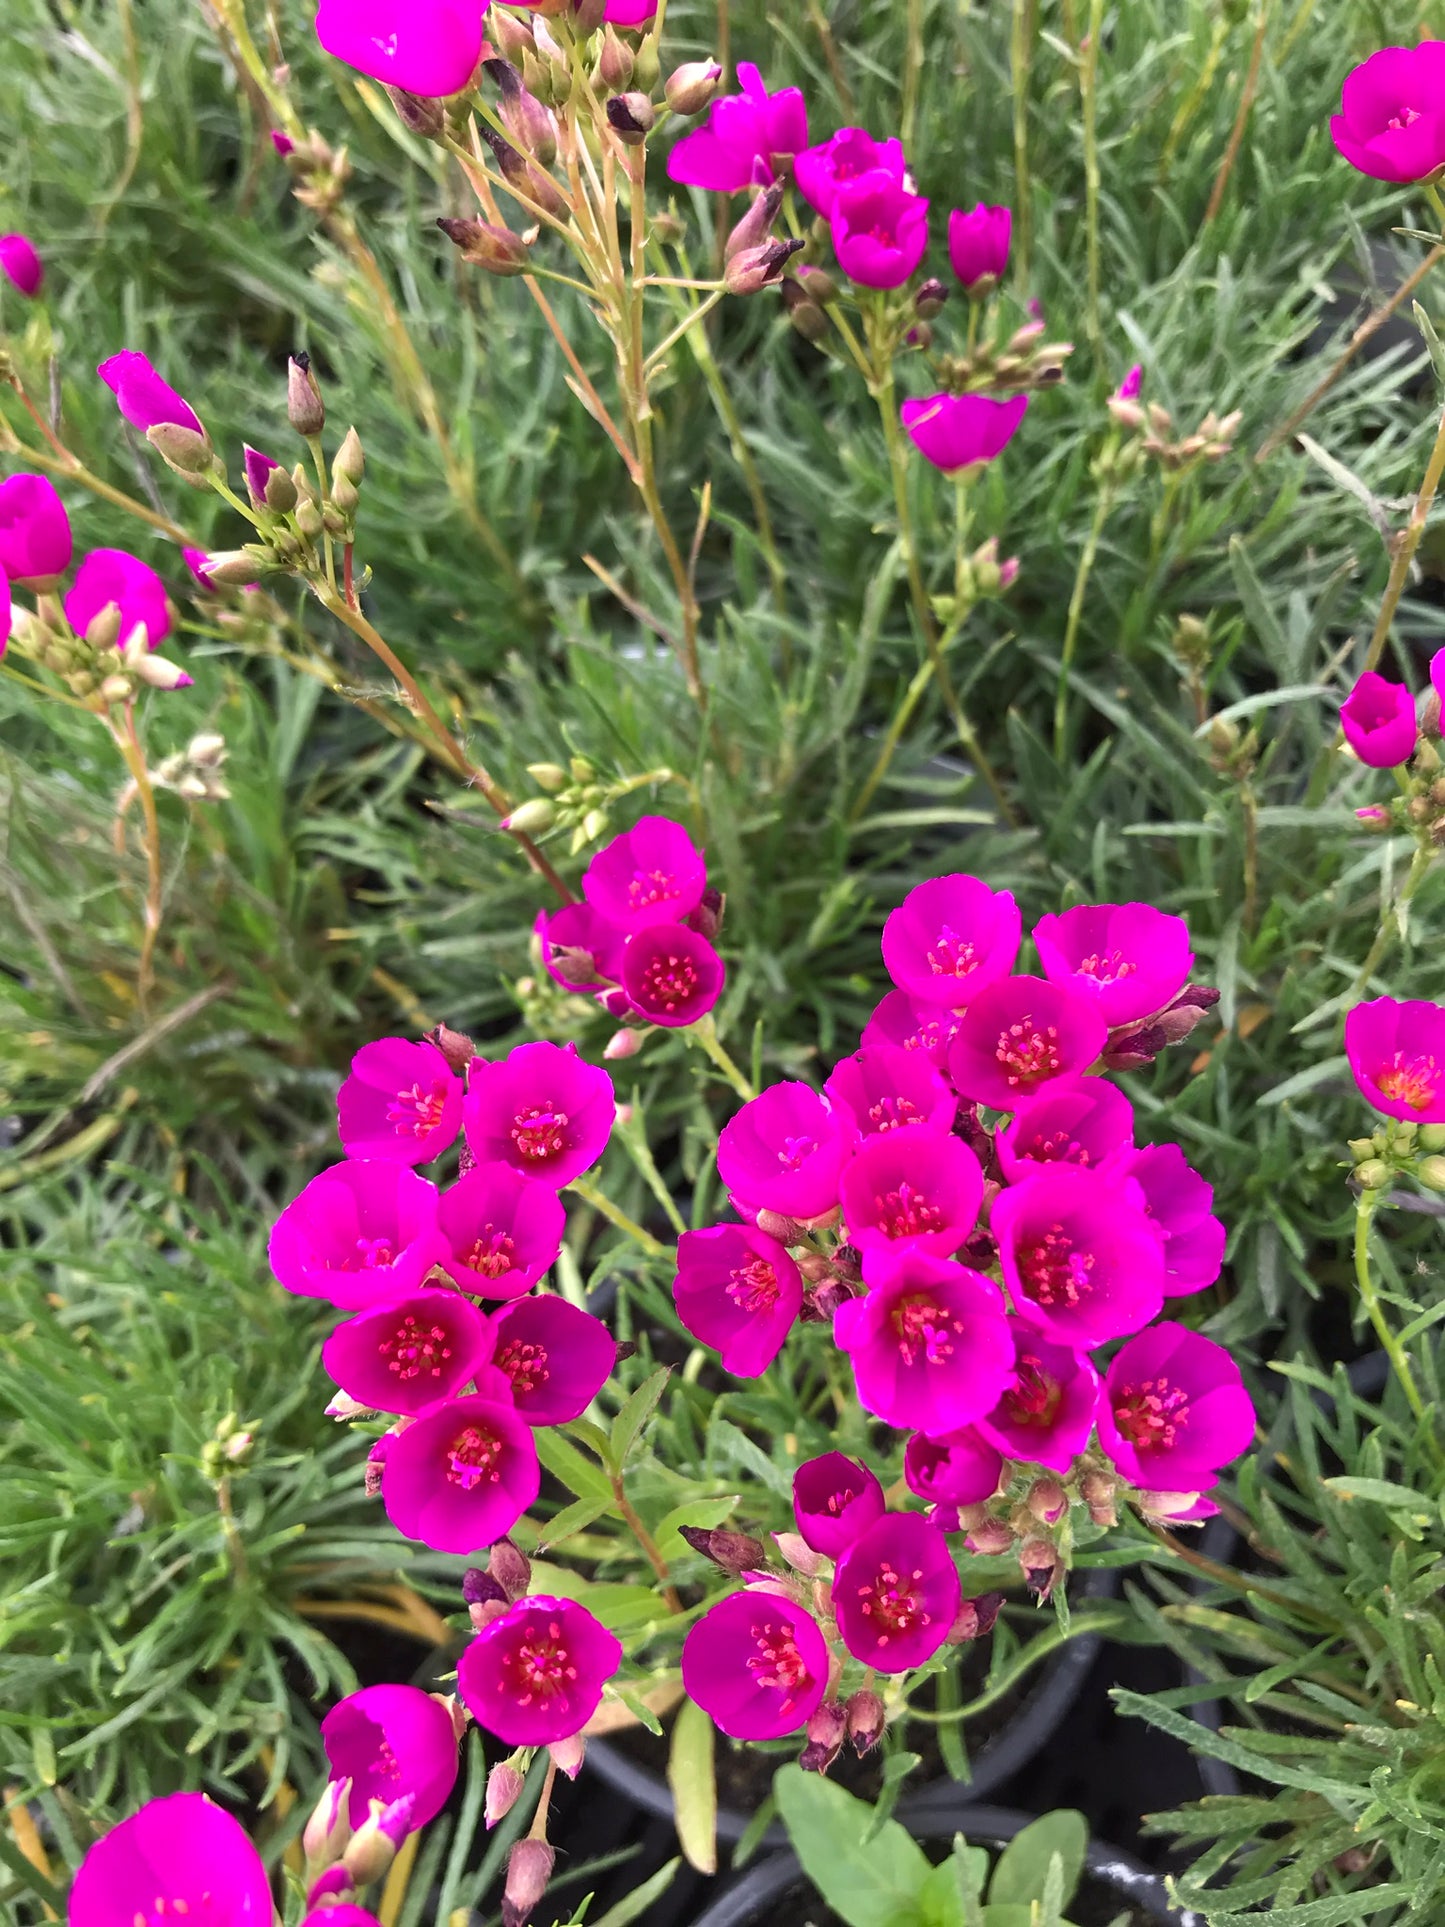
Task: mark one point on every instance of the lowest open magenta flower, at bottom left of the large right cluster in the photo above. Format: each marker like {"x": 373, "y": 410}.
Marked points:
{"x": 758, "y": 1664}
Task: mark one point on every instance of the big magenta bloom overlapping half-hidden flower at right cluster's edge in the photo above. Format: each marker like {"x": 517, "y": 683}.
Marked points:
{"x": 1080, "y": 1257}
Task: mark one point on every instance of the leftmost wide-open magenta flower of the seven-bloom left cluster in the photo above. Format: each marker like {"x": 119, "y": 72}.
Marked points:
{"x": 361, "y": 1234}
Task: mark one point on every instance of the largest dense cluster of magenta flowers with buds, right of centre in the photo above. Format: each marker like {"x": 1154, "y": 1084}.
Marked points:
{"x": 966, "y": 1205}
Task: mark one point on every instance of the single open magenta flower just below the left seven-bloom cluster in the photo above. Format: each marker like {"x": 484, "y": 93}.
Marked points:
{"x": 537, "y": 1674}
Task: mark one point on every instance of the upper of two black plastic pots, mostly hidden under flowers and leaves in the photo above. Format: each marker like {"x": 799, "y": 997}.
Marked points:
{"x": 1026, "y": 1735}
